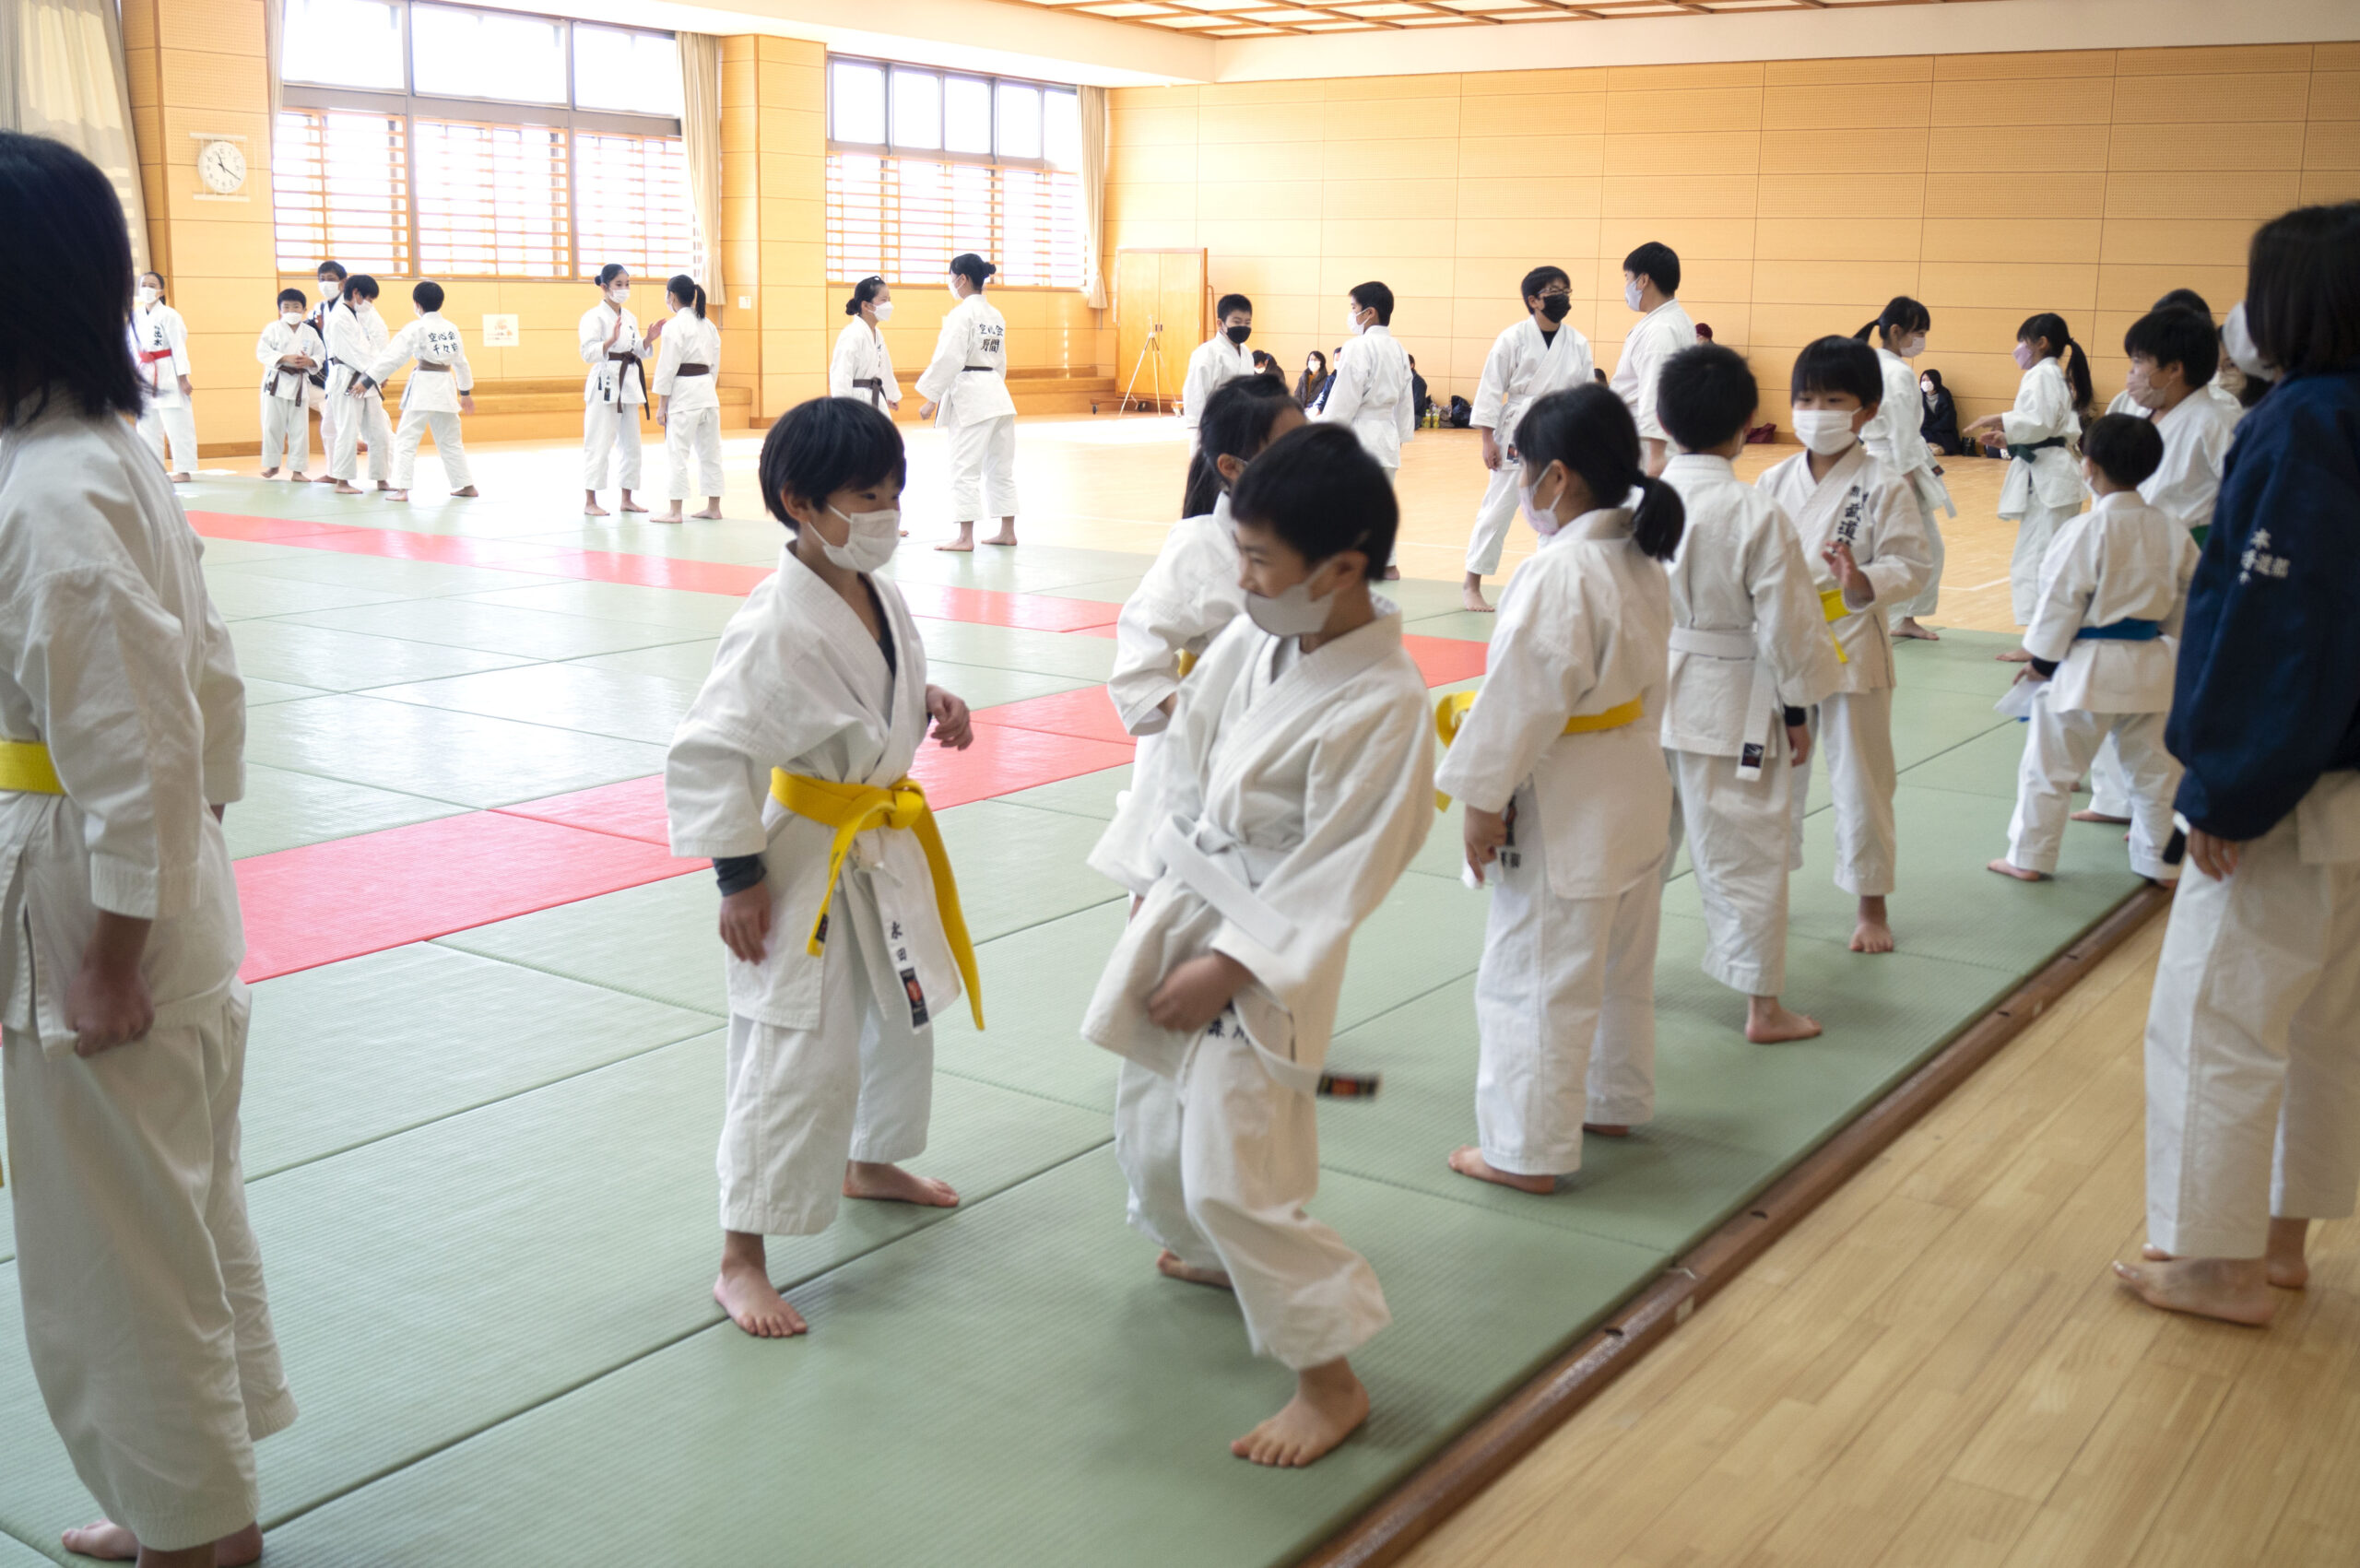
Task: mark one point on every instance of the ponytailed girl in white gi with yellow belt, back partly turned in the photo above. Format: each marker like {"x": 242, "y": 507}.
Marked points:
{"x": 1561, "y": 771}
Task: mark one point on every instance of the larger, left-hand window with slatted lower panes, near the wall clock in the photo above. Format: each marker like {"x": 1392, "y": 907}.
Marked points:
{"x": 445, "y": 141}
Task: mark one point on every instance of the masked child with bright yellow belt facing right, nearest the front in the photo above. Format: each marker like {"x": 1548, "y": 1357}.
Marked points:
{"x": 839, "y": 908}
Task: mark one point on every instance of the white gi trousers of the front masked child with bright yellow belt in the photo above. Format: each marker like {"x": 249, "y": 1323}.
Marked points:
{"x": 804, "y": 1102}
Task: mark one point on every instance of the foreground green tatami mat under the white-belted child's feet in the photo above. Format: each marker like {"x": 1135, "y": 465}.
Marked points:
{"x": 1016, "y": 1387}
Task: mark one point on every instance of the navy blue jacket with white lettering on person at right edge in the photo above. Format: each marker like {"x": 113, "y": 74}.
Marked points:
{"x": 2269, "y": 679}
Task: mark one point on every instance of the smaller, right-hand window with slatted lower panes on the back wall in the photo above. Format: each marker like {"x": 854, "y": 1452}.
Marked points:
{"x": 929, "y": 164}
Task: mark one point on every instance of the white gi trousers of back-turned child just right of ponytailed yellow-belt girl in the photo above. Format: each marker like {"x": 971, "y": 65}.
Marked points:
{"x": 1740, "y": 849}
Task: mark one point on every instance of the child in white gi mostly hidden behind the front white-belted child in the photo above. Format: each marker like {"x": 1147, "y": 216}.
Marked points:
{"x": 1193, "y": 594}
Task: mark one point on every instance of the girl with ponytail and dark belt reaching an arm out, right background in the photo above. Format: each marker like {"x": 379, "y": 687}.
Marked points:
{"x": 2045, "y": 481}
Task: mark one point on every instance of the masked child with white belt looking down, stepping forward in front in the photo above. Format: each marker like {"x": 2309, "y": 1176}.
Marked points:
{"x": 1292, "y": 792}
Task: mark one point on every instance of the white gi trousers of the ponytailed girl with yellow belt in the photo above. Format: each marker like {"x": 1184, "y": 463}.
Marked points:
{"x": 1563, "y": 1010}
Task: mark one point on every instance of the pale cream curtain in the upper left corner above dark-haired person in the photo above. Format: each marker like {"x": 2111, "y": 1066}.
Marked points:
{"x": 63, "y": 79}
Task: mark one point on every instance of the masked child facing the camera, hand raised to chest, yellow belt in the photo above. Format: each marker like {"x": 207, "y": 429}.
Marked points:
{"x": 1866, "y": 537}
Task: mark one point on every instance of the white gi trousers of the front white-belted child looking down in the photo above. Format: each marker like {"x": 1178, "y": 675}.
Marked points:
{"x": 1221, "y": 1163}
